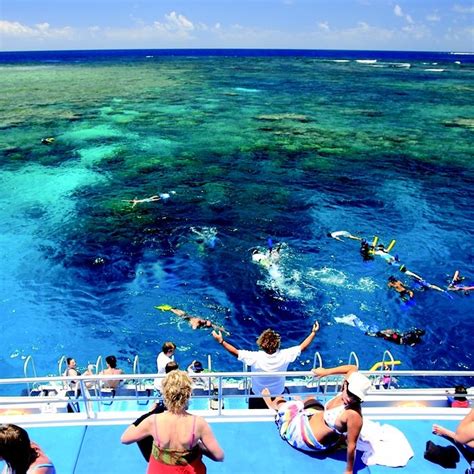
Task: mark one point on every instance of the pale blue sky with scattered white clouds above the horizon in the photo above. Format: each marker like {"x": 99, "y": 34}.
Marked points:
{"x": 414, "y": 25}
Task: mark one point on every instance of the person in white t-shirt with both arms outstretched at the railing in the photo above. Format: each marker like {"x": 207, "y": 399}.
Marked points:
{"x": 269, "y": 359}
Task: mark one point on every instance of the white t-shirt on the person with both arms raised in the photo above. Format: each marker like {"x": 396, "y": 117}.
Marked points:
{"x": 262, "y": 362}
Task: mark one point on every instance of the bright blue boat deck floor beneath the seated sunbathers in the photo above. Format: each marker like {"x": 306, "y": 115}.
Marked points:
{"x": 250, "y": 447}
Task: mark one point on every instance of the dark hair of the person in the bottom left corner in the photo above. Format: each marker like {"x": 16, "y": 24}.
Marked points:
{"x": 15, "y": 448}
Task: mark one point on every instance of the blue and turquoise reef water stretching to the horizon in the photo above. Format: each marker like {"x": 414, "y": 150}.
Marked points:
{"x": 250, "y": 146}
